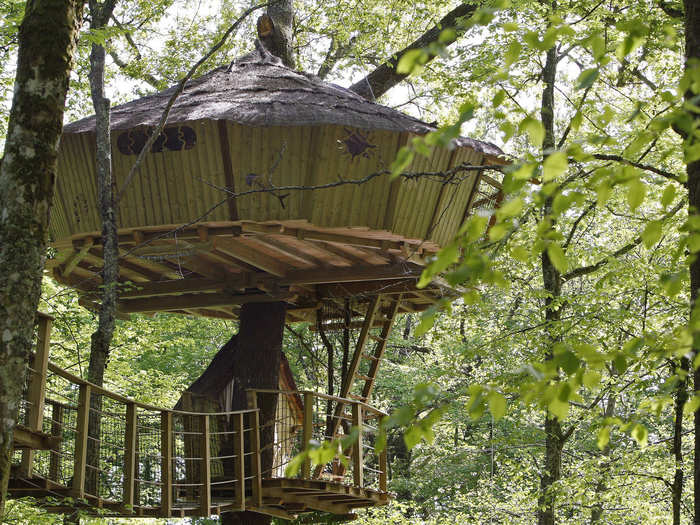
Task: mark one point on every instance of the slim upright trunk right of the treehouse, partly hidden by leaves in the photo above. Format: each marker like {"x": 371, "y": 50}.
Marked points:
{"x": 554, "y": 439}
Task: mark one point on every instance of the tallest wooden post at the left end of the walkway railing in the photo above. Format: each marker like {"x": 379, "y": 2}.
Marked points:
{"x": 37, "y": 387}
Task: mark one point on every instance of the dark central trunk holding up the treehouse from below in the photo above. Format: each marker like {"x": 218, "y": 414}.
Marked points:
{"x": 256, "y": 360}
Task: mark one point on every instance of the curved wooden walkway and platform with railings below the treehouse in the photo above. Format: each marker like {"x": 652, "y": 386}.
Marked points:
{"x": 82, "y": 447}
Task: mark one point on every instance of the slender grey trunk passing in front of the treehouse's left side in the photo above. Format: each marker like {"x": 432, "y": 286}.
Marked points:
{"x": 102, "y": 337}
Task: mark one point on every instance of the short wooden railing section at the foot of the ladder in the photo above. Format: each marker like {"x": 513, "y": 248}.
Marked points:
{"x": 302, "y": 417}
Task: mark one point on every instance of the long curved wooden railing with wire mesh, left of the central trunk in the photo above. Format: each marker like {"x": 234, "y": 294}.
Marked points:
{"x": 142, "y": 459}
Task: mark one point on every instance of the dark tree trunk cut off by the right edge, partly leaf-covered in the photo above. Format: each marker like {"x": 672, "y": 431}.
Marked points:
{"x": 692, "y": 55}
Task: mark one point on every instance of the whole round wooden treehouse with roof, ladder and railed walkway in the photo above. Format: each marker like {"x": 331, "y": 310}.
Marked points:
{"x": 266, "y": 198}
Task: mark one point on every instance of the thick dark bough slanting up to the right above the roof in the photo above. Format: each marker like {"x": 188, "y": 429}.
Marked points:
{"x": 385, "y": 77}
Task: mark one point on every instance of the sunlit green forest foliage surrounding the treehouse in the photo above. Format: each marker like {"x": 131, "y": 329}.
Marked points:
{"x": 557, "y": 389}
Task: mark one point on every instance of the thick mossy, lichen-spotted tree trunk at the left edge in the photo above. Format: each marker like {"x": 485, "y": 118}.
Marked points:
{"x": 47, "y": 40}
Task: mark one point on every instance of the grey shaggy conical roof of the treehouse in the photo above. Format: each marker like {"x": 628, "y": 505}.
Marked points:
{"x": 258, "y": 90}
